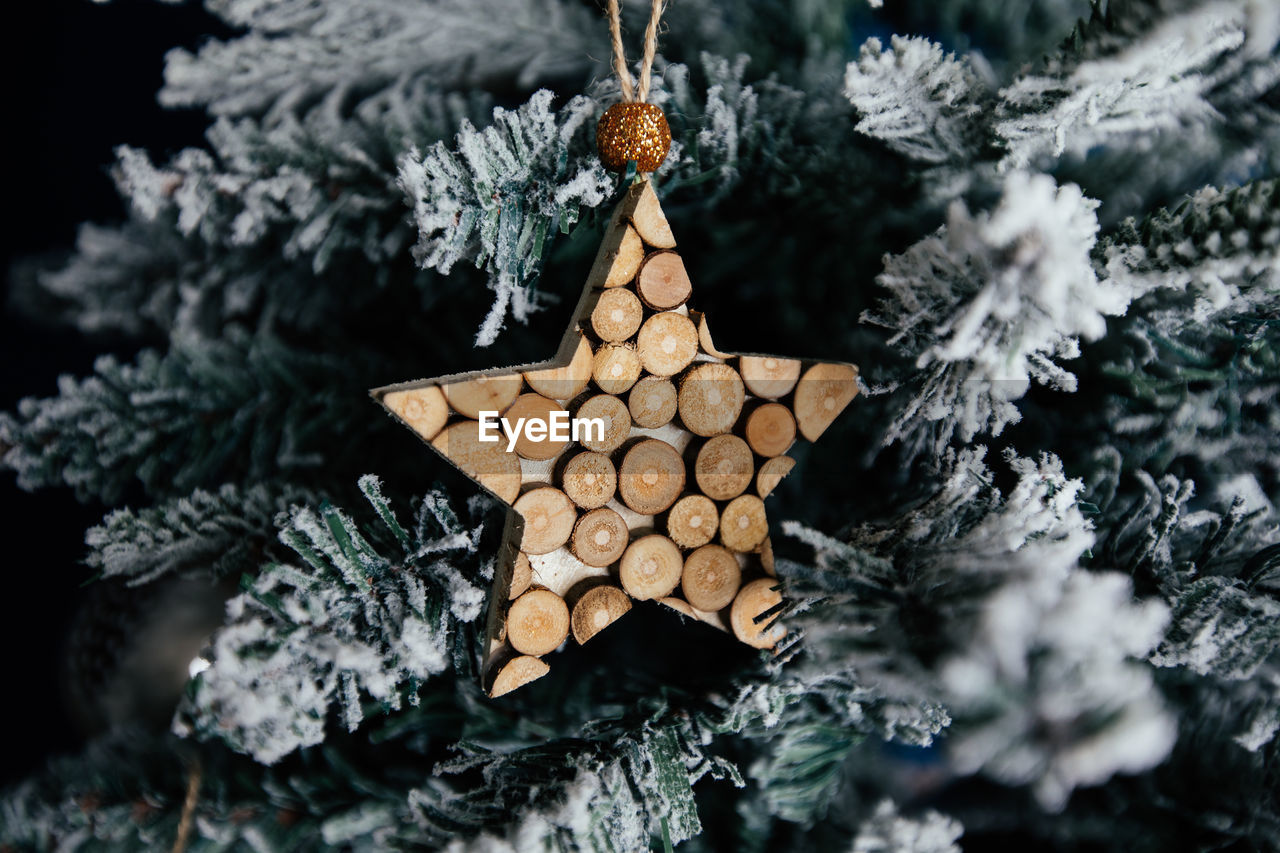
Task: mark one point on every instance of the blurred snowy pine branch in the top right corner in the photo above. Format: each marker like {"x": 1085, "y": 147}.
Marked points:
{"x": 1144, "y": 70}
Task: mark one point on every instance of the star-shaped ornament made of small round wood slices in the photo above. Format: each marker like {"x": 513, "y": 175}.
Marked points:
{"x": 637, "y": 462}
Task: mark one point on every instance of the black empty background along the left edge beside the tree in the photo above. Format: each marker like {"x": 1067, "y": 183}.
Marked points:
{"x": 81, "y": 79}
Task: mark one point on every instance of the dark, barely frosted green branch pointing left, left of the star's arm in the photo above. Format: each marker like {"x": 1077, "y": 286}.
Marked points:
{"x": 205, "y": 413}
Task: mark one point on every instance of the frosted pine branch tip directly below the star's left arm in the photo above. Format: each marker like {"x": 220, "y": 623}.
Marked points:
{"x": 365, "y": 615}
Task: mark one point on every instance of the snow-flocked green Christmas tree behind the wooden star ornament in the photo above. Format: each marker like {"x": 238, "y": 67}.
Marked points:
{"x": 1032, "y": 576}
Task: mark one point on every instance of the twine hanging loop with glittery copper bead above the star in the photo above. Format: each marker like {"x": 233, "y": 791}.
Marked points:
{"x": 634, "y": 131}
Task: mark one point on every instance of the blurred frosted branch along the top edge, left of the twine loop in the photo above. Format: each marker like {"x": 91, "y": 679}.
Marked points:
{"x": 296, "y": 52}
